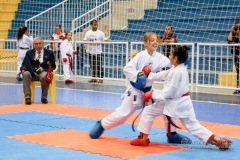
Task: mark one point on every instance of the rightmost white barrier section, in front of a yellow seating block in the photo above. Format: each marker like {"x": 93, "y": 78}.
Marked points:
{"x": 215, "y": 66}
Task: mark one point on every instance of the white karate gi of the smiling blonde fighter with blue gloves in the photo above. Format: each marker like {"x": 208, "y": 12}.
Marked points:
{"x": 132, "y": 97}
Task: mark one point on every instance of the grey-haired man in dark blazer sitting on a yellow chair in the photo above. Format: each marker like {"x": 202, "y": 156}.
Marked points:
{"x": 34, "y": 68}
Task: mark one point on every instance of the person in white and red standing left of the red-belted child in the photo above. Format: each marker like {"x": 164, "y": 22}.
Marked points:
{"x": 57, "y": 37}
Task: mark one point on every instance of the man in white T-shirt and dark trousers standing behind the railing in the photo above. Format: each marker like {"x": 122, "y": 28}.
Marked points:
{"x": 95, "y": 50}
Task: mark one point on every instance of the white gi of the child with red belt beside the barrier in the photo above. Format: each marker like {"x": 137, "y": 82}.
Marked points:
{"x": 66, "y": 49}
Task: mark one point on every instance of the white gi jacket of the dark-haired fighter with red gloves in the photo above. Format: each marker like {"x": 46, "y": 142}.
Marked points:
{"x": 176, "y": 84}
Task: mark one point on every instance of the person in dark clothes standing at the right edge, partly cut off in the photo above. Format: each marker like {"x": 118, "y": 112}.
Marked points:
{"x": 234, "y": 37}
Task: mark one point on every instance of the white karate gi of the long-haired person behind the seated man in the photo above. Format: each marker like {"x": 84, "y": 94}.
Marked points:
{"x": 23, "y": 45}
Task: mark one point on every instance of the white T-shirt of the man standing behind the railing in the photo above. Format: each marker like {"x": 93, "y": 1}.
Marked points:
{"x": 96, "y": 36}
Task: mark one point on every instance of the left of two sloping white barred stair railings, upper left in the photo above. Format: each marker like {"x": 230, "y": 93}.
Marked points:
{"x": 43, "y": 24}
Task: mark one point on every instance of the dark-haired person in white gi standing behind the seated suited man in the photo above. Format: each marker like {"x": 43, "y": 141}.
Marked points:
{"x": 24, "y": 42}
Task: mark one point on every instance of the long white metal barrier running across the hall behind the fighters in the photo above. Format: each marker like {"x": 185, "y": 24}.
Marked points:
{"x": 212, "y": 65}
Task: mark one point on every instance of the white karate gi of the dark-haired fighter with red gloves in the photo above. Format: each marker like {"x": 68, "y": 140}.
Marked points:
{"x": 175, "y": 104}
